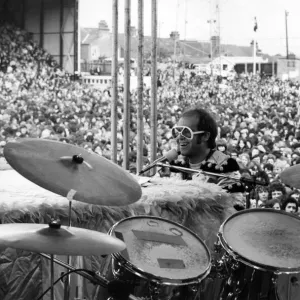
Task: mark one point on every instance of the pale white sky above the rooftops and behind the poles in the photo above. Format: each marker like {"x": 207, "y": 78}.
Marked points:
{"x": 236, "y": 20}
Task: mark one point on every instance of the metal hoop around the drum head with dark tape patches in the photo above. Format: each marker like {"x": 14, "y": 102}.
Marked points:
{"x": 157, "y": 279}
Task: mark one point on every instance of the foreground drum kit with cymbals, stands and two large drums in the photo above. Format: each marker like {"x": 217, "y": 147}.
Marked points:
{"x": 145, "y": 257}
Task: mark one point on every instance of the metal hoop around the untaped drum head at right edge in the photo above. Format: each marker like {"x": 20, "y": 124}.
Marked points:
{"x": 237, "y": 256}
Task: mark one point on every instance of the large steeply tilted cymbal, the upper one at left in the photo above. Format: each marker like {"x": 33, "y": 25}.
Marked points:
{"x": 61, "y": 168}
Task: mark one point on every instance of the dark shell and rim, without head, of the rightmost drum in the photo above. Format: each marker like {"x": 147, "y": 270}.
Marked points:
{"x": 255, "y": 279}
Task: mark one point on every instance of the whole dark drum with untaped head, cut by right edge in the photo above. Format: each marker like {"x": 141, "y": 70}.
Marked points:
{"x": 261, "y": 244}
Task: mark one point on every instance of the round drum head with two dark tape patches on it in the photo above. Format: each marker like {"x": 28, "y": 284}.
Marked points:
{"x": 162, "y": 248}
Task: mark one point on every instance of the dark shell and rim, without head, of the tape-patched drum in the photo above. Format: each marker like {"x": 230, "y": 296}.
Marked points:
{"x": 146, "y": 285}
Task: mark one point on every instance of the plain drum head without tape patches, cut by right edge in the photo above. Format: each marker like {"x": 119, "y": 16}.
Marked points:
{"x": 267, "y": 239}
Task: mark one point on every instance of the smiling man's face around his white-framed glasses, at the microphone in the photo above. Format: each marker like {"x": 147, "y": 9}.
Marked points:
{"x": 190, "y": 147}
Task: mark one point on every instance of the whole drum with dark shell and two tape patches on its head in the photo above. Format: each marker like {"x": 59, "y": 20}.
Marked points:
{"x": 163, "y": 260}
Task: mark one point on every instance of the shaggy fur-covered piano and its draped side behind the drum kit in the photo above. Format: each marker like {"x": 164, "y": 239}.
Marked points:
{"x": 201, "y": 208}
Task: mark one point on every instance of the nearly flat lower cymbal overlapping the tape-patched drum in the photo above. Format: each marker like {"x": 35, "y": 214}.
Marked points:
{"x": 41, "y": 238}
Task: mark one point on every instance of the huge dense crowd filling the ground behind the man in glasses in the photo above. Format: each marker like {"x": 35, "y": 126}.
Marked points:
{"x": 258, "y": 116}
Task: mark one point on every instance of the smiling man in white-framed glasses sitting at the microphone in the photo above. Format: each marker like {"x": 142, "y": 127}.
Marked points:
{"x": 196, "y": 133}
